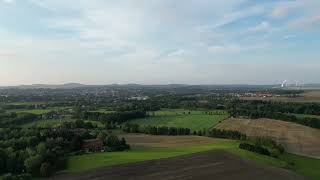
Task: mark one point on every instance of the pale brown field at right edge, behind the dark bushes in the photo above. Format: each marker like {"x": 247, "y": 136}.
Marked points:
{"x": 297, "y": 139}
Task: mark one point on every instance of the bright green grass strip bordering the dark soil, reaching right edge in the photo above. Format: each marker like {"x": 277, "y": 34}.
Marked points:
{"x": 307, "y": 167}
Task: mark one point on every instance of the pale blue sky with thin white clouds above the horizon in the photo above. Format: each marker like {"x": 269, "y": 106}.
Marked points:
{"x": 159, "y": 41}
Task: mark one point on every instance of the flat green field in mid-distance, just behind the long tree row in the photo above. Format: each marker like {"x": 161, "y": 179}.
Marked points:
{"x": 195, "y": 120}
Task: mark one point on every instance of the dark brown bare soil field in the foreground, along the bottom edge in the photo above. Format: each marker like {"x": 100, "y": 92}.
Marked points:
{"x": 204, "y": 166}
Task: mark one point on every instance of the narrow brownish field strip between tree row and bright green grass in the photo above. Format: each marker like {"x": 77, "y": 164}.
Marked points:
{"x": 145, "y": 140}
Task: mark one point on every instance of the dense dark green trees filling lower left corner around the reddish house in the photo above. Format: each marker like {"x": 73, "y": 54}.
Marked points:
{"x": 32, "y": 152}
